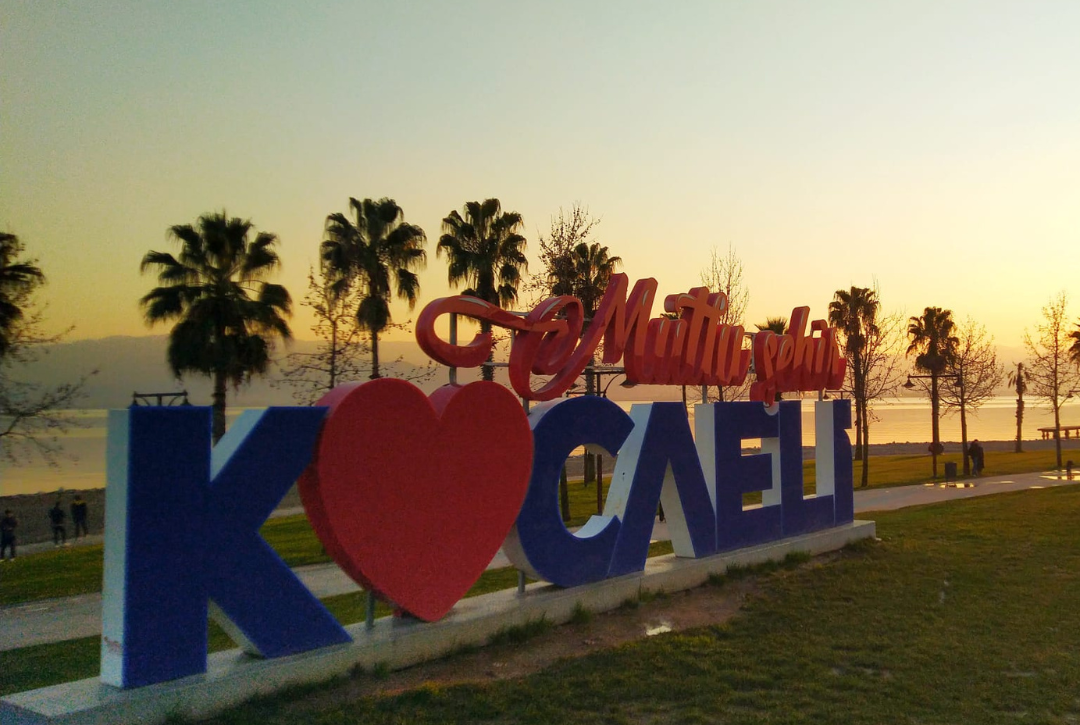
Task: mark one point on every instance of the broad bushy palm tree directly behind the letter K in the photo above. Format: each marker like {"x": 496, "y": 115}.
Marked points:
{"x": 227, "y": 316}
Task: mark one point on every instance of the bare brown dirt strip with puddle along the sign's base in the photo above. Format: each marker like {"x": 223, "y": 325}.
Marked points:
{"x": 669, "y": 613}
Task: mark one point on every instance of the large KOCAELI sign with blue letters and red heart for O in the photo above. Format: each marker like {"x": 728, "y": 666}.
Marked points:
{"x": 413, "y": 495}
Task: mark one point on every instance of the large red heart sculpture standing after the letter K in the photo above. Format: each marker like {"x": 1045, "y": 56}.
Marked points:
{"x": 414, "y": 498}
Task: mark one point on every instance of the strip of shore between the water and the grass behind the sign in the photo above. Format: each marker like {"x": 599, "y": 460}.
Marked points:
{"x": 33, "y": 509}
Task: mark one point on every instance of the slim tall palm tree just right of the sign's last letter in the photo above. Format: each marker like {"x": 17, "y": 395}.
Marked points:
{"x": 855, "y": 313}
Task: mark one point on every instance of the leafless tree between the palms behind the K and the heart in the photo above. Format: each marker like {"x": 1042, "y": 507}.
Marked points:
{"x": 342, "y": 354}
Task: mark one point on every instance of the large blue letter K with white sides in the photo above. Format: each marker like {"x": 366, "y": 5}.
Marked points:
{"x": 182, "y": 529}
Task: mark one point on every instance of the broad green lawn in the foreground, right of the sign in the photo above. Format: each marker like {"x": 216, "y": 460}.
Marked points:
{"x": 965, "y": 613}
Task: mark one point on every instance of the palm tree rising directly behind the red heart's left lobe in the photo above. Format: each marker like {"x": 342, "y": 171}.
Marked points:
{"x": 367, "y": 254}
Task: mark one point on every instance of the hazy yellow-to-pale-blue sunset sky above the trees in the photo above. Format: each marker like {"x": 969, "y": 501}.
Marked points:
{"x": 931, "y": 146}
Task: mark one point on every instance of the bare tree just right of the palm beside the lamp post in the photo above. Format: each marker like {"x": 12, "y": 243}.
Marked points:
{"x": 978, "y": 375}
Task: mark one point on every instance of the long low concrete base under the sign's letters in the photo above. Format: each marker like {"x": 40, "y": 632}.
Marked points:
{"x": 234, "y": 678}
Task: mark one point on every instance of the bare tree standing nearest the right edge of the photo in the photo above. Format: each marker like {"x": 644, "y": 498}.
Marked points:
{"x": 1052, "y": 373}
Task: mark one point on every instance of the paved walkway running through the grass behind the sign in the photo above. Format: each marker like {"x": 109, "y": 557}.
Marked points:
{"x": 59, "y": 620}
